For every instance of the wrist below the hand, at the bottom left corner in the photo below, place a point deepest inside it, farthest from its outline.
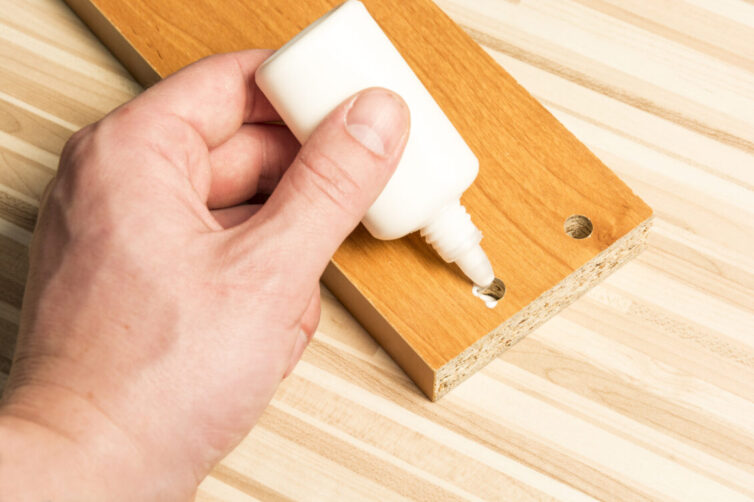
(56, 446)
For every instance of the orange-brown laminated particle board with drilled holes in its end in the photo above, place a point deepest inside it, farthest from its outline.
(534, 178)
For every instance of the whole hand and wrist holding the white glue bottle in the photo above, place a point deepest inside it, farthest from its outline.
(161, 311)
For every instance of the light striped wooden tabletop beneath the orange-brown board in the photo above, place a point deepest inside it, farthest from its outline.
(643, 389)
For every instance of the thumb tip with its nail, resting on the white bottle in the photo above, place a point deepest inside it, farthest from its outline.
(378, 119)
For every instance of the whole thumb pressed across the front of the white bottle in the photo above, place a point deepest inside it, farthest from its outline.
(337, 175)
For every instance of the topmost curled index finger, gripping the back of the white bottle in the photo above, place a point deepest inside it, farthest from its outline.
(215, 95)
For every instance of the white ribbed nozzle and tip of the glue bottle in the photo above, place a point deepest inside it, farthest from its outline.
(456, 239)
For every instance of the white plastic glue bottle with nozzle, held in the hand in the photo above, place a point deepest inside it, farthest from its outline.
(344, 52)
